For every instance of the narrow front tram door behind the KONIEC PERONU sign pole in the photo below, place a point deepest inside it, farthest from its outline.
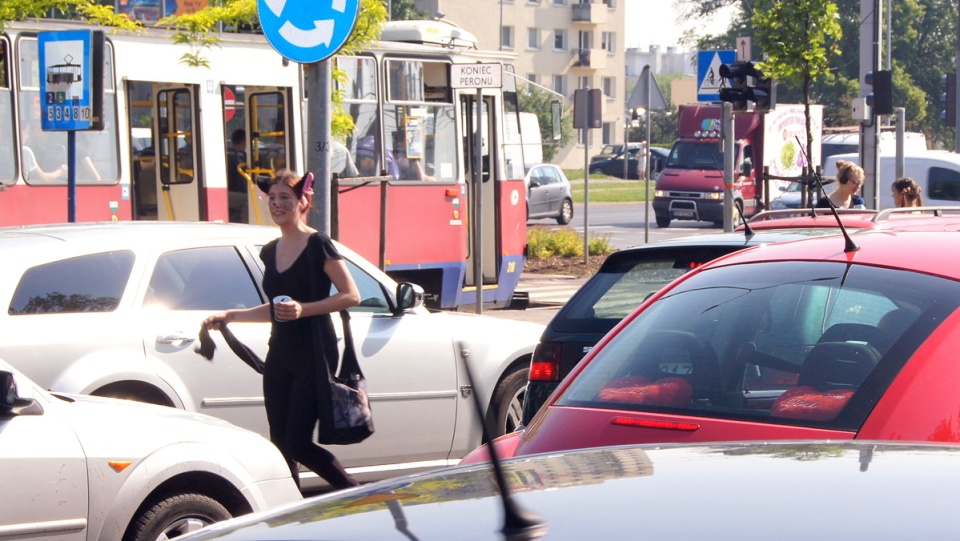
(487, 221)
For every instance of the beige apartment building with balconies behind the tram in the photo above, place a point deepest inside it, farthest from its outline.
(560, 44)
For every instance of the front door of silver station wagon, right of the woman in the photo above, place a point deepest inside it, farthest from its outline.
(411, 375)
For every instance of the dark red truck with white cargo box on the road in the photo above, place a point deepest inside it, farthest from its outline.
(691, 184)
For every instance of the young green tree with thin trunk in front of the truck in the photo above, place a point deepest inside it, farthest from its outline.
(797, 36)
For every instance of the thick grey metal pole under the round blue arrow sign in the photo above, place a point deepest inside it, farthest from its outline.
(319, 115)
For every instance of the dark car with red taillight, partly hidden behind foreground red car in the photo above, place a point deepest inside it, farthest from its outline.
(626, 278)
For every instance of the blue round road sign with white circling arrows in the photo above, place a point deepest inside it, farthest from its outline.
(307, 31)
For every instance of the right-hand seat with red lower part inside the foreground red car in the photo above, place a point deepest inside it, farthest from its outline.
(831, 374)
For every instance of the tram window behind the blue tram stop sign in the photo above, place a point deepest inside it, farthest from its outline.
(43, 155)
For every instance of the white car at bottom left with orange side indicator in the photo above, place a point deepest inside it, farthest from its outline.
(96, 469)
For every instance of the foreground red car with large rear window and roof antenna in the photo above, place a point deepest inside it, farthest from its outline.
(793, 340)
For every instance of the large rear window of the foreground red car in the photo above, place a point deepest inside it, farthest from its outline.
(809, 343)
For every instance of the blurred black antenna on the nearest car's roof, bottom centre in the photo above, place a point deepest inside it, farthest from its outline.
(519, 524)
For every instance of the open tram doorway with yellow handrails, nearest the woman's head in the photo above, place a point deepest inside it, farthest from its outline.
(259, 144)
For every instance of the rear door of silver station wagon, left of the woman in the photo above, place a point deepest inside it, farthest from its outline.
(185, 286)
